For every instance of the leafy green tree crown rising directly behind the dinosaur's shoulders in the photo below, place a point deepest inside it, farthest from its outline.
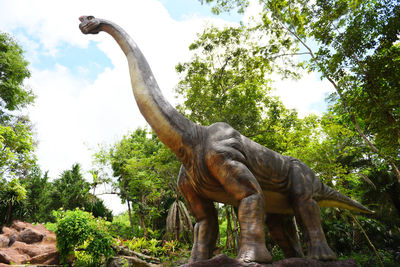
(226, 80)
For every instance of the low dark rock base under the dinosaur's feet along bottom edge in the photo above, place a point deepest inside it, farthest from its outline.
(224, 261)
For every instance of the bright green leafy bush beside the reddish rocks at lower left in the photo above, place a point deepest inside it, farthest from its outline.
(82, 236)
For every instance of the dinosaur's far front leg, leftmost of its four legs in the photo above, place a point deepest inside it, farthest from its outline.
(206, 227)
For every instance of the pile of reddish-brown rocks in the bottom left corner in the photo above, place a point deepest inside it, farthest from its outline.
(28, 243)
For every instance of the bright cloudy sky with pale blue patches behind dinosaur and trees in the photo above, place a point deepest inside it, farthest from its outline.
(81, 82)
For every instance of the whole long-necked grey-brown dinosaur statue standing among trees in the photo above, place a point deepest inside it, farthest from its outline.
(221, 165)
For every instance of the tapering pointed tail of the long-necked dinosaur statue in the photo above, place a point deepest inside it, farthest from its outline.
(328, 197)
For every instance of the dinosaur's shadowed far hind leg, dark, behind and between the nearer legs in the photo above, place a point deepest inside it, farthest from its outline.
(283, 231)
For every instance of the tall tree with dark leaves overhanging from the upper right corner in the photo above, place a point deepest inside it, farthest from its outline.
(354, 45)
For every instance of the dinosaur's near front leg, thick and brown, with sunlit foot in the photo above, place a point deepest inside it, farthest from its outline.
(242, 186)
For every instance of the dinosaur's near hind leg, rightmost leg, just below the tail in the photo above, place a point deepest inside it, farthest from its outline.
(307, 213)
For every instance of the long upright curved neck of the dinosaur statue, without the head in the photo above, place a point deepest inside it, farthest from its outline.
(170, 126)
